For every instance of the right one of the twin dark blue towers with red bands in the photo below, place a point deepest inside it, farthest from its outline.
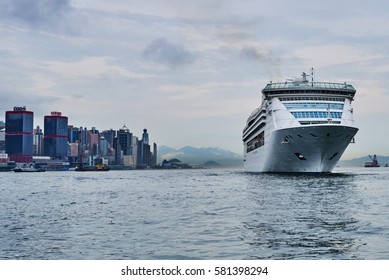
(55, 135)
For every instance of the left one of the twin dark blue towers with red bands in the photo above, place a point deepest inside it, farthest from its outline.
(19, 134)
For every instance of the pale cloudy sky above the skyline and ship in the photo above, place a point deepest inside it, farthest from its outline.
(190, 71)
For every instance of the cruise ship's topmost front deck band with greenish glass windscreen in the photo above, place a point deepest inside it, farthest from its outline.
(309, 88)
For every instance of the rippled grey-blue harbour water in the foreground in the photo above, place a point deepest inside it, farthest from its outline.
(194, 214)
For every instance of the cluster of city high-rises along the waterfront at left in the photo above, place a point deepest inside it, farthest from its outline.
(60, 142)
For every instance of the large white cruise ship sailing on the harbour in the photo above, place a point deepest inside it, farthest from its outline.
(301, 126)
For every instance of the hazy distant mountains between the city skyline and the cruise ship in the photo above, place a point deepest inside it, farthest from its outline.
(193, 155)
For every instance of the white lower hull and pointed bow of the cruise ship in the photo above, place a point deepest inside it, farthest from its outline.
(310, 149)
